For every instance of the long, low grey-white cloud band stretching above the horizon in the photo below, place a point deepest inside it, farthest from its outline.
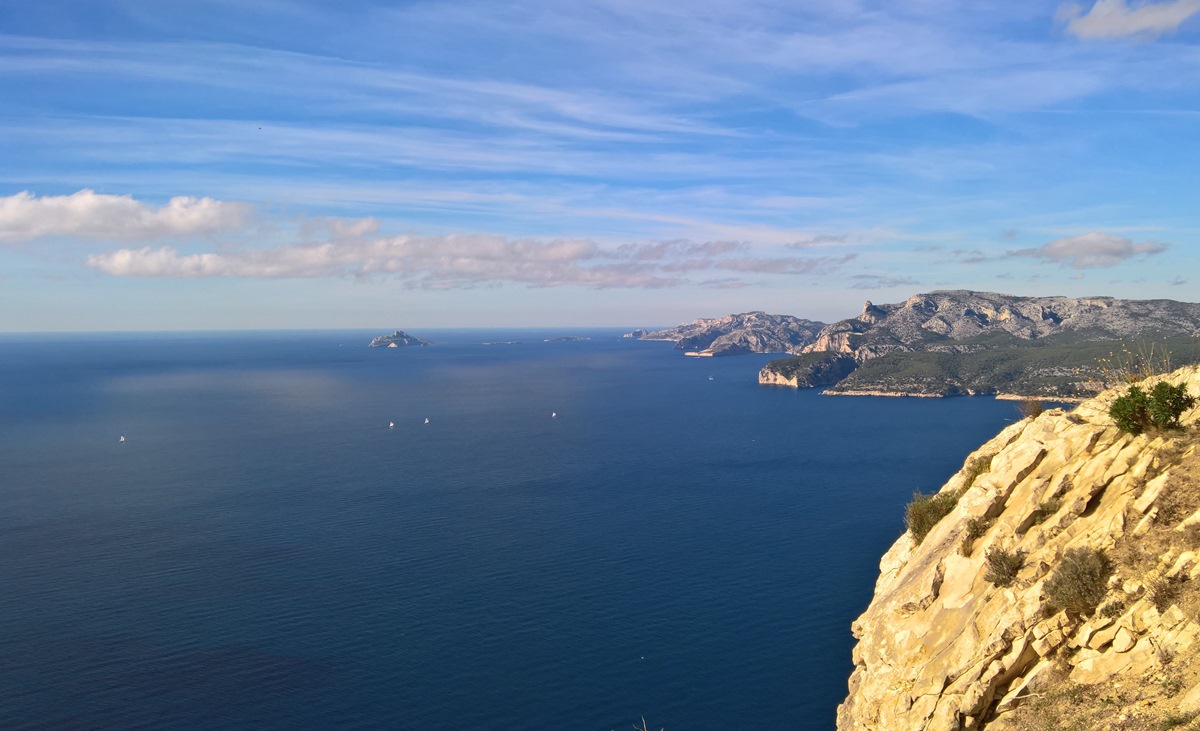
(459, 262)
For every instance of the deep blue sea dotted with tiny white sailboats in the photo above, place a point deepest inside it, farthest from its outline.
(265, 553)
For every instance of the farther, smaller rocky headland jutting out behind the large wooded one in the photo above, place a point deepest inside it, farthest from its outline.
(747, 333)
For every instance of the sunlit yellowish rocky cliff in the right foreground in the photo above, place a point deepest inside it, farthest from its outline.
(967, 628)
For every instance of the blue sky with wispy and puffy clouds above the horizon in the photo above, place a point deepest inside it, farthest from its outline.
(171, 165)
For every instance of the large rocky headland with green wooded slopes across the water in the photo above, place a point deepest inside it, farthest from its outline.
(962, 343)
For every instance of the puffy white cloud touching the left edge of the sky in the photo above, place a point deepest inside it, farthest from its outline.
(92, 215)
